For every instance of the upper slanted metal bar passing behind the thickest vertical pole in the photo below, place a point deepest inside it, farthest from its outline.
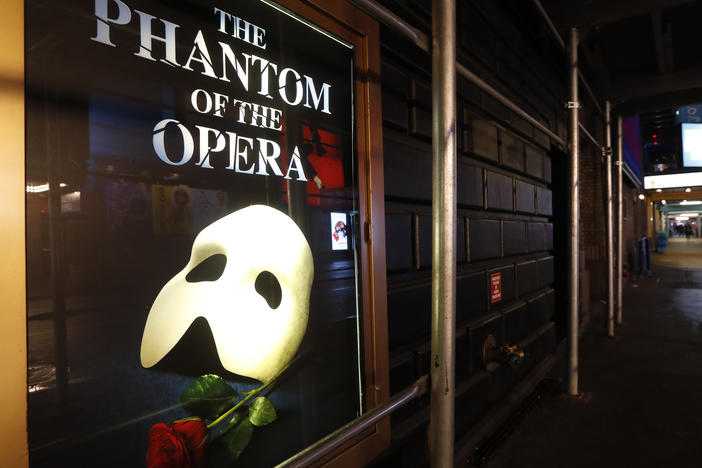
(393, 21)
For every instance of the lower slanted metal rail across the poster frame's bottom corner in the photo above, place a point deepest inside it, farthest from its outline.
(350, 430)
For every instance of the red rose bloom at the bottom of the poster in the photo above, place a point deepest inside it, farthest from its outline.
(180, 445)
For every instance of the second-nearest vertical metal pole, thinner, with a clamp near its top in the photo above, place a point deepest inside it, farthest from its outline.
(573, 248)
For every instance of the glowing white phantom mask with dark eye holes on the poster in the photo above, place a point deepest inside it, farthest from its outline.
(252, 338)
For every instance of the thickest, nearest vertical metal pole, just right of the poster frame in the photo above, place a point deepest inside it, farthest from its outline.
(443, 308)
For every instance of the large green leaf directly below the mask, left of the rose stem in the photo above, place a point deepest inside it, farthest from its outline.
(208, 396)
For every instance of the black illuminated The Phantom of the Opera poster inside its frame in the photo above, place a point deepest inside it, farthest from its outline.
(184, 305)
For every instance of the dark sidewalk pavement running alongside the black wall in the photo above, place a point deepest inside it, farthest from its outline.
(644, 386)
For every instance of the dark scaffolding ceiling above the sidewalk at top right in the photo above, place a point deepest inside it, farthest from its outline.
(644, 54)
